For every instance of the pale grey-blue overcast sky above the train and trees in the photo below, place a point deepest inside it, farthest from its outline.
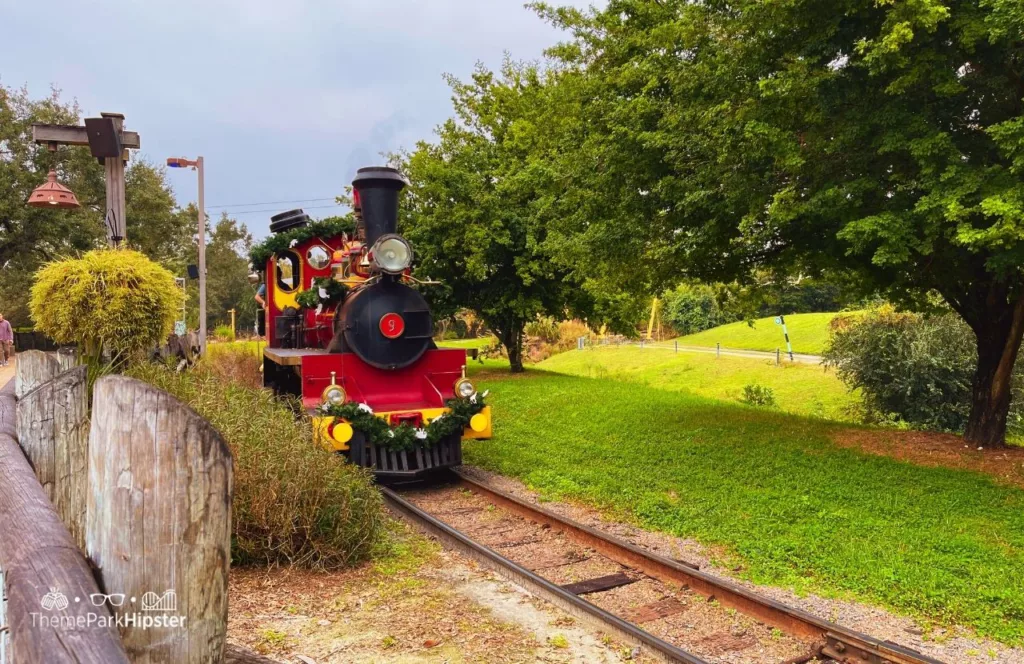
(284, 99)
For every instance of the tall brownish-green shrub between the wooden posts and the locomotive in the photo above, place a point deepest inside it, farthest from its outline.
(294, 503)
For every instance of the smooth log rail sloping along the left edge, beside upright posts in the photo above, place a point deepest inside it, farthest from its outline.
(45, 572)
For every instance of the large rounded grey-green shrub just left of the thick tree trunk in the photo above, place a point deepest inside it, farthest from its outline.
(911, 368)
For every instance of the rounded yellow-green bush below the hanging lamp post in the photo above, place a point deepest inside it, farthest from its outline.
(116, 300)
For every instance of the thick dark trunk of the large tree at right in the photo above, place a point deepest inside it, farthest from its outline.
(999, 337)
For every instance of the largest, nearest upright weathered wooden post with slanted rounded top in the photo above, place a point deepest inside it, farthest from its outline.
(159, 520)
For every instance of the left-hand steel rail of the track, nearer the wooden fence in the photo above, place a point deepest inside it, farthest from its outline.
(591, 614)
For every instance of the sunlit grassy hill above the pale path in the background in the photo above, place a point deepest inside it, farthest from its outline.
(808, 333)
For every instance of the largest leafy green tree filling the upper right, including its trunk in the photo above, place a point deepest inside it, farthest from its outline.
(885, 140)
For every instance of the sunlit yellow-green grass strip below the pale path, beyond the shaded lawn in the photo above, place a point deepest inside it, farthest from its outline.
(802, 389)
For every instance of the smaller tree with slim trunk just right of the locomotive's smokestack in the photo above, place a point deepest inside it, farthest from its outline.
(477, 213)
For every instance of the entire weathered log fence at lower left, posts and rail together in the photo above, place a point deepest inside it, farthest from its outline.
(115, 530)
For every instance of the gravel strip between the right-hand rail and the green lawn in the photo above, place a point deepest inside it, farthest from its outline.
(953, 645)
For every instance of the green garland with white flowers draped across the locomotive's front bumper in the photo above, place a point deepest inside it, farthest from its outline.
(404, 437)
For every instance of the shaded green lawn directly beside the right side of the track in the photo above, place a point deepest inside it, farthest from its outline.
(772, 492)
